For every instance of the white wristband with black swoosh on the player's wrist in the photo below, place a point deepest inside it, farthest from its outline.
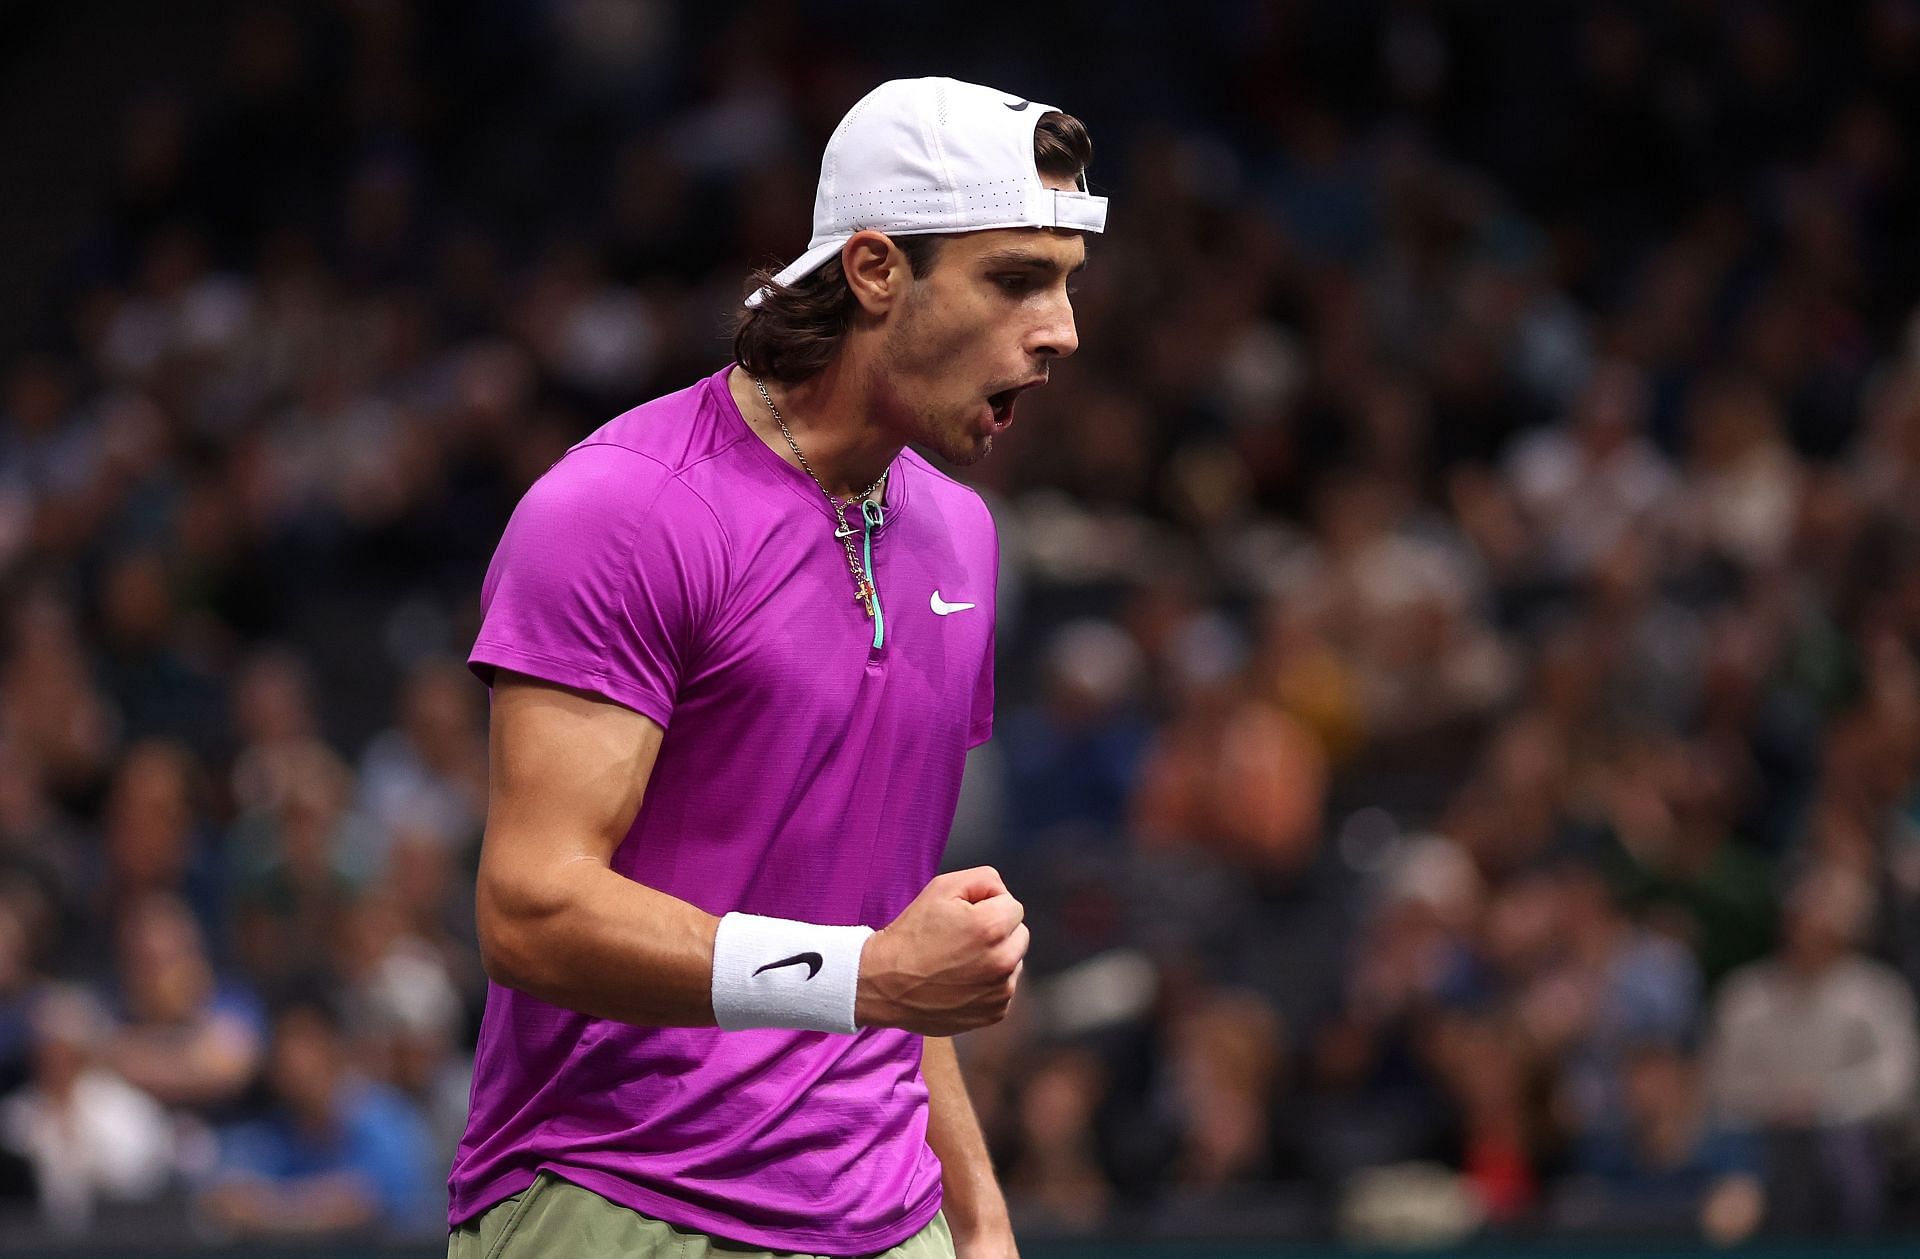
(775, 972)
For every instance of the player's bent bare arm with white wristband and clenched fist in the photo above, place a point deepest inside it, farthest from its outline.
(558, 922)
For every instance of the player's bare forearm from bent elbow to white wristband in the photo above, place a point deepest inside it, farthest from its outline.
(596, 941)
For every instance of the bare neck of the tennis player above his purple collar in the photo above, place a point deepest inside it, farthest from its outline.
(832, 419)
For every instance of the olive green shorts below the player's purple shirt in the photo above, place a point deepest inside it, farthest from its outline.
(556, 1218)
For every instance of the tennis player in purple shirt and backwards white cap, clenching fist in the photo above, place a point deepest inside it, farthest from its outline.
(740, 642)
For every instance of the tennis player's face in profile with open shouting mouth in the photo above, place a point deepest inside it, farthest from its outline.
(980, 327)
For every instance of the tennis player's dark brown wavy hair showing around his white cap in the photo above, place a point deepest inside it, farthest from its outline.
(798, 327)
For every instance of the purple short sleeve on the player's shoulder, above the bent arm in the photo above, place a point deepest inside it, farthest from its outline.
(604, 581)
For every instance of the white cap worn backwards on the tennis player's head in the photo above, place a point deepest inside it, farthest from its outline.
(919, 156)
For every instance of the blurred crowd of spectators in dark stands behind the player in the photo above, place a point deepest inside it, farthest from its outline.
(1460, 690)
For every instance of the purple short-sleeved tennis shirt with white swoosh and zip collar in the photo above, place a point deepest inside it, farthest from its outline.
(679, 567)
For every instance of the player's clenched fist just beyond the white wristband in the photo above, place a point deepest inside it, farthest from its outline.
(949, 962)
